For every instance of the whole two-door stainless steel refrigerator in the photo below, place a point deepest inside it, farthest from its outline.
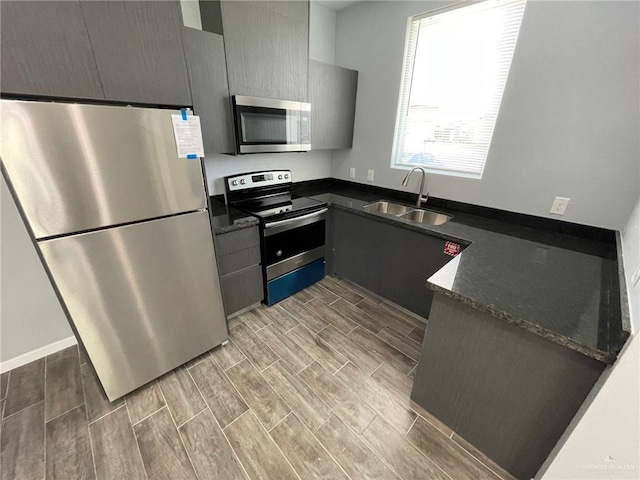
(122, 226)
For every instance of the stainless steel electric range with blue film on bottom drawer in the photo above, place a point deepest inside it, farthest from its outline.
(292, 230)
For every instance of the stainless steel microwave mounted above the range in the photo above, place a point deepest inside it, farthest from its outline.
(270, 125)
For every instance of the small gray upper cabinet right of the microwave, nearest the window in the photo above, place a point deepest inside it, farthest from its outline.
(332, 93)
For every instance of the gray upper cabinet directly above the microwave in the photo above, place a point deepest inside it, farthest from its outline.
(267, 46)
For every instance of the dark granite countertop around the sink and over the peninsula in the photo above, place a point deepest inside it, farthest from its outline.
(559, 286)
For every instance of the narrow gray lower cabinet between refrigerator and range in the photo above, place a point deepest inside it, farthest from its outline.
(240, 270)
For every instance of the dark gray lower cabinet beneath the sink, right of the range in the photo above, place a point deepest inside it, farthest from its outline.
(389, 260)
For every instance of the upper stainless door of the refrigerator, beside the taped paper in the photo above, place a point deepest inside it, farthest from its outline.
(79, 167)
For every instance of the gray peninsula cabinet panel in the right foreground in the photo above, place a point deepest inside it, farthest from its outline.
(507, 391)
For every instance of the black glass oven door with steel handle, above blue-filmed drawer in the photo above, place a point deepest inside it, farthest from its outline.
(293, 243)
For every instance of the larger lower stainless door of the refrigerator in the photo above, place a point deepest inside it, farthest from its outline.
(144, 298)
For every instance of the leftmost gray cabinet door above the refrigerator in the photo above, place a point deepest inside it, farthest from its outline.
(46, 50)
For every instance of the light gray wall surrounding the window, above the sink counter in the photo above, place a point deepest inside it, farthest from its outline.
(569, 122)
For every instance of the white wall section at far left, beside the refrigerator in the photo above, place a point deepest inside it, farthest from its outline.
(31, 317)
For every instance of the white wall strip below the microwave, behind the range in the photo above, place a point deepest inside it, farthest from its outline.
(303, 166)
